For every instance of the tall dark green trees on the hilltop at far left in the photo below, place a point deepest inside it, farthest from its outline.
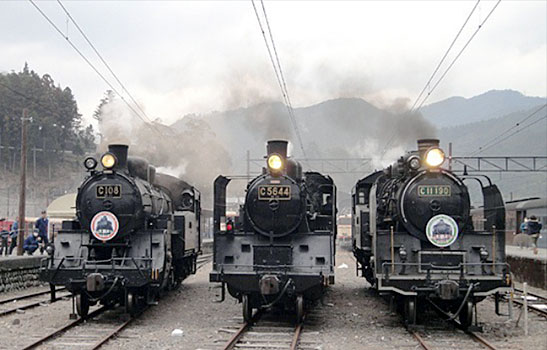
(55, 126)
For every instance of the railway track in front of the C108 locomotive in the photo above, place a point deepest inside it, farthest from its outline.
(97, 329)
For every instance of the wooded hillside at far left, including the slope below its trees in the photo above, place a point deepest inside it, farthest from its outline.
(56, 140)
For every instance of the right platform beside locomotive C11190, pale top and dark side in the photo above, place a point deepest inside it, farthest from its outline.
(527, 266)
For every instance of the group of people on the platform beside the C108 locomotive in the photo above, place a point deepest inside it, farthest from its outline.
(37, 240)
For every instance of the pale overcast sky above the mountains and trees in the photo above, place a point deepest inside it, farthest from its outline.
(195, 57)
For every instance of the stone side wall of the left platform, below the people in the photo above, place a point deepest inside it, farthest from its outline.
(19, 272)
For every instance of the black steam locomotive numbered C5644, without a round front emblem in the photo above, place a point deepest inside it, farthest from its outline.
(280, 250)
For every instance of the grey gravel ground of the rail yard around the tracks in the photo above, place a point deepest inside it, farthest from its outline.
(351, 318)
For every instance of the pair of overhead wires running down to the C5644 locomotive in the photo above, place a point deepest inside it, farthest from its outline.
(279, 74)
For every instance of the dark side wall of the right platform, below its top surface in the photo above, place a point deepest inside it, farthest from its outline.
(533, 271)
